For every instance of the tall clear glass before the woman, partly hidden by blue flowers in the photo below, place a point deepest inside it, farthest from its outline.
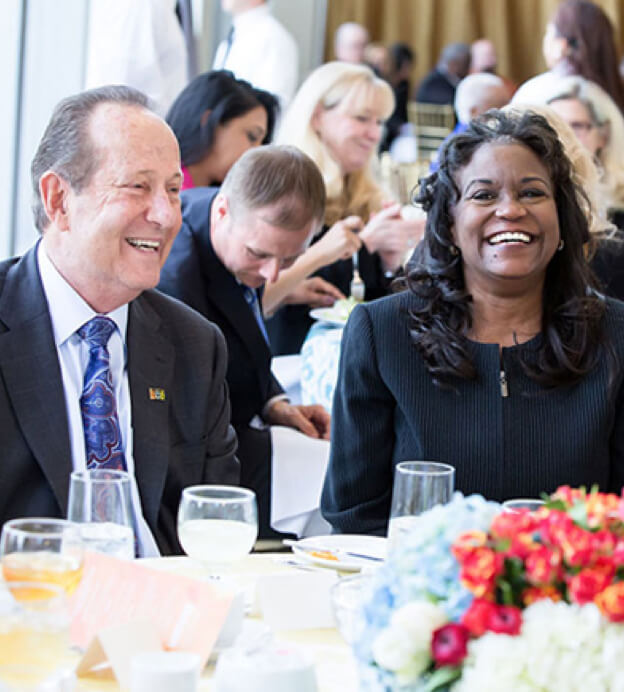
(418, 486)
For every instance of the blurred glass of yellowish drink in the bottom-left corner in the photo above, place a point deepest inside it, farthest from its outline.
(34, 634)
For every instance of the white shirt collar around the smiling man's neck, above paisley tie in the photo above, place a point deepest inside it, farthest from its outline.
(68, 310)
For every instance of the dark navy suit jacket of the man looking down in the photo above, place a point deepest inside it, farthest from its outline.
(194, 274)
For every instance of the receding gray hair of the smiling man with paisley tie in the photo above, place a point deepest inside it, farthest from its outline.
(66, 147)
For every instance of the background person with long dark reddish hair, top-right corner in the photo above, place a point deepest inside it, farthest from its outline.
(579, 40)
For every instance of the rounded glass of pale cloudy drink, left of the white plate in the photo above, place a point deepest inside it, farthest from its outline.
(217, 524)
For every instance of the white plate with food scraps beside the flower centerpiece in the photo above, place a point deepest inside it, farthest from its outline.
(375, 546)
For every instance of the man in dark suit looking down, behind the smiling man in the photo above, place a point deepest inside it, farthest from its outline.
(232, 242)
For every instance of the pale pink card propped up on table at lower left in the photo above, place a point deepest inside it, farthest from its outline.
(183, 613)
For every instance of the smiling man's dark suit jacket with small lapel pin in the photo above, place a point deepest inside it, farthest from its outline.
(181, 441)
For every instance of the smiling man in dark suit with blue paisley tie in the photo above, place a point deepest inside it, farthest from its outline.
(97, 370)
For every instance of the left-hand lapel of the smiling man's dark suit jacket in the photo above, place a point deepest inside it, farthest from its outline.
(32, 374)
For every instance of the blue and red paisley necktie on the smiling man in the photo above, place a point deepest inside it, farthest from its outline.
(103, 445)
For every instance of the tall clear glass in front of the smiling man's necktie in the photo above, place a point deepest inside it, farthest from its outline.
(100, 504)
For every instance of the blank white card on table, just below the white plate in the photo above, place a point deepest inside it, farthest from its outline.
(297, 600)
